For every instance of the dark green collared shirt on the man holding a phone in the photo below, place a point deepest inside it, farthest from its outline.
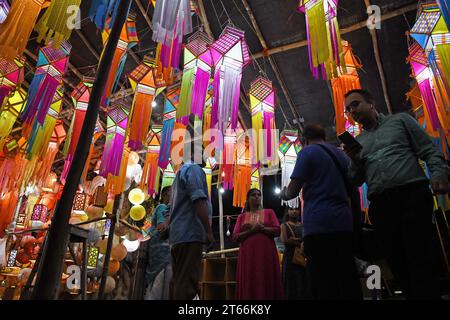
(391, 152)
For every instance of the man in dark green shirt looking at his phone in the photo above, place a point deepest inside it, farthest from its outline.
(401, 202)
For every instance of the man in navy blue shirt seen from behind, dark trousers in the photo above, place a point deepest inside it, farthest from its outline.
(327, 217)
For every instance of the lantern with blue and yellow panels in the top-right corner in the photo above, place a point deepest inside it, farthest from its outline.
(432, 34)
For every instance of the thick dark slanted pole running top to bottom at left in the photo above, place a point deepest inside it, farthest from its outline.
(48, 283)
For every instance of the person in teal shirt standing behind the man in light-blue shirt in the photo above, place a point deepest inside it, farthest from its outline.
(159, 271)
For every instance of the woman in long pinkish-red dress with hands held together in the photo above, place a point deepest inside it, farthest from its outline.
(258, 268)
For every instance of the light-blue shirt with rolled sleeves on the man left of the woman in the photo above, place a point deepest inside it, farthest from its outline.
(189, 185)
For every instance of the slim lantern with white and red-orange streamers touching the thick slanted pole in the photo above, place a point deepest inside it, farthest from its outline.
(80, 97)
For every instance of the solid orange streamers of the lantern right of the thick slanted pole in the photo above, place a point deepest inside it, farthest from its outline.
(140, 120)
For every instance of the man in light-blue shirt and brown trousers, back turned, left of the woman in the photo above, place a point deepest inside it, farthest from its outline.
(190, 228)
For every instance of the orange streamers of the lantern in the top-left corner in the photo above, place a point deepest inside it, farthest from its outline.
(17, 28)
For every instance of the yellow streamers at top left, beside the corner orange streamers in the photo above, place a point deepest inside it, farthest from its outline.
(54, 24)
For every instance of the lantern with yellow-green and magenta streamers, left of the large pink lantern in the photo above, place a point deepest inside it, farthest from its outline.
(198, 62)
